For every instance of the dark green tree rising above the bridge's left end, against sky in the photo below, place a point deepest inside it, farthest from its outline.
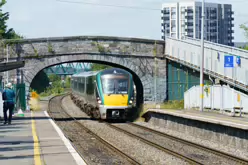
(6, 33)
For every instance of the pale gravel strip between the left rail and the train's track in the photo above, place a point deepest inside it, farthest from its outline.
(142, 152)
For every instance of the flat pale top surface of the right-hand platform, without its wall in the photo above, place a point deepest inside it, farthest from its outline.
(211, 116)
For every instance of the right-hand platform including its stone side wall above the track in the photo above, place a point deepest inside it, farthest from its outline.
(209, 127)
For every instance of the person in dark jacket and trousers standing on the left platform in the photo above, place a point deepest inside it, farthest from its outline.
(8, 96)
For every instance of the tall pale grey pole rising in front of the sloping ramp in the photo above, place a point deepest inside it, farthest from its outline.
(202, 57)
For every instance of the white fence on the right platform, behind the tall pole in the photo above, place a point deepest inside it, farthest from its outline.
(217, 97)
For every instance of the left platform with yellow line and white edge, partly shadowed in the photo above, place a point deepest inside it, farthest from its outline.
(35, 140)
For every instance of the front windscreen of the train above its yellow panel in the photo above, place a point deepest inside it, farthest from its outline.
(115, 85)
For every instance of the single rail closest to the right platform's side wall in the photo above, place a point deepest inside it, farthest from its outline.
(204, 148)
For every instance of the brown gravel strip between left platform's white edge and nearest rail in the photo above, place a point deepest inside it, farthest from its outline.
(93, 152)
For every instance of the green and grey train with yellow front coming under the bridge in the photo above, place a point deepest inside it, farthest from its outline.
(104, 94)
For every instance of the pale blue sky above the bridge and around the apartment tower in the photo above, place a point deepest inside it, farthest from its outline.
(51, 18)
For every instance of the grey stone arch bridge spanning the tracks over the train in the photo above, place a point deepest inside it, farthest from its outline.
(138, 56)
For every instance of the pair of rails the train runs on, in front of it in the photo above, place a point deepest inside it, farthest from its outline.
(191, 160)
